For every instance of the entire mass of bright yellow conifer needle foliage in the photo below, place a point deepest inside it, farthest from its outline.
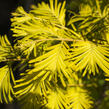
(60, 56)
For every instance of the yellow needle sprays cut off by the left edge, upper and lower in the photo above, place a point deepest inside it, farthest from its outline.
(6, 74)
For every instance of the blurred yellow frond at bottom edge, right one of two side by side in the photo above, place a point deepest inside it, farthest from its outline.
(79, 98)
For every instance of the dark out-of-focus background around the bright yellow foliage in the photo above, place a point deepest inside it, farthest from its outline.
(99, 87)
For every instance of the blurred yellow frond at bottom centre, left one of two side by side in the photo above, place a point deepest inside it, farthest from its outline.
(57, 100)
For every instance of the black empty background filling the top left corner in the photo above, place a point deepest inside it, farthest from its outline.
(6, 8)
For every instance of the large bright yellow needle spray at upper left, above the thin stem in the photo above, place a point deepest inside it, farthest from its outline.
(41, 21)
